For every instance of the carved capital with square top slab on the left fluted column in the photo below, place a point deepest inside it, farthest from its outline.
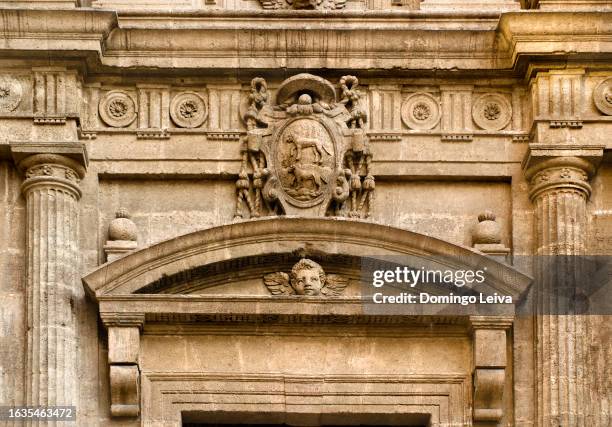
(60, 165)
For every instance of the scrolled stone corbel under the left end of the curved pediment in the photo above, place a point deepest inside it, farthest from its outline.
(123, 349)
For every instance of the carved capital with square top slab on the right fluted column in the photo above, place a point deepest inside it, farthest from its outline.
(550, 167)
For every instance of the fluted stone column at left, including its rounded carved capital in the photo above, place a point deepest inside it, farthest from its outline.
(51, 189)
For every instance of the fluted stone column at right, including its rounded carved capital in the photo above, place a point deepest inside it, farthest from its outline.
(559, 190)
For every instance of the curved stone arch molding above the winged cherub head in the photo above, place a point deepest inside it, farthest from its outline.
(289, 235)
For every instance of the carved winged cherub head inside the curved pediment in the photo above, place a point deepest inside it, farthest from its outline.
(306, 278)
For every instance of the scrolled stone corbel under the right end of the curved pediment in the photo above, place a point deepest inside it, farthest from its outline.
(489, 371)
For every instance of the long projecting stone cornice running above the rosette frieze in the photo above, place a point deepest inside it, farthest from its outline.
(356, 40)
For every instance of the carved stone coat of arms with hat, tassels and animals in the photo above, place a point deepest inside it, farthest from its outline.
(306, 155)
